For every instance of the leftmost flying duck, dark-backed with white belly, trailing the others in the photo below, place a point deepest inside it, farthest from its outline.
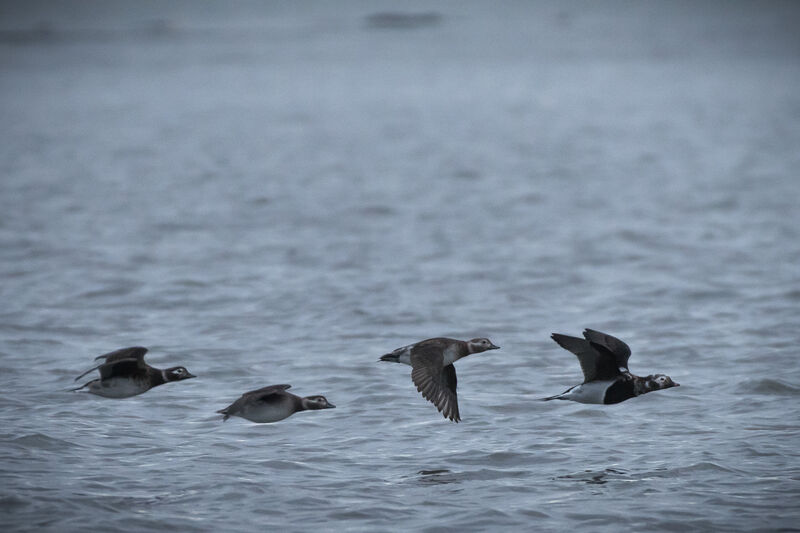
(123, 373)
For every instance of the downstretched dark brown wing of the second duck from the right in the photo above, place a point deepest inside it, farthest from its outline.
(437, 384)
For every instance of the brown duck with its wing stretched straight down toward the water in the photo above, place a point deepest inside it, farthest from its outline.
(432, 369)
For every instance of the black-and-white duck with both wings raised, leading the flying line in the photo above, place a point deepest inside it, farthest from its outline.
(604, 361)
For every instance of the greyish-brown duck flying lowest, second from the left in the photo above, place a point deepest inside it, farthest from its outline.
(271, 404)
